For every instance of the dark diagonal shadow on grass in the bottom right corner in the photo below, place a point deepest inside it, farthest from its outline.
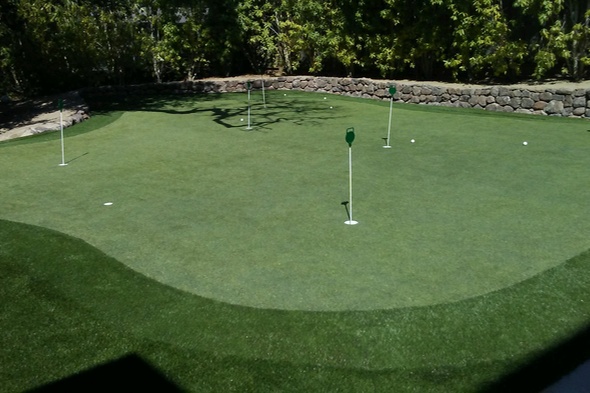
(548, 368)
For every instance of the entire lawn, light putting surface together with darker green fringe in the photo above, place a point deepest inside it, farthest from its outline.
(224, 261)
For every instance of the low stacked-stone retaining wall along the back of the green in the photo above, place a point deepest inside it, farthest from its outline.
(533, 100)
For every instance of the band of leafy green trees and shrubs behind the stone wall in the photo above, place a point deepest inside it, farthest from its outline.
(52, 45)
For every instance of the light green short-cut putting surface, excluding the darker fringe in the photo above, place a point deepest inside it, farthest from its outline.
(255, 217)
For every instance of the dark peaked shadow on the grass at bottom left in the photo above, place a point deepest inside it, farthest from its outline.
(129, 373)
